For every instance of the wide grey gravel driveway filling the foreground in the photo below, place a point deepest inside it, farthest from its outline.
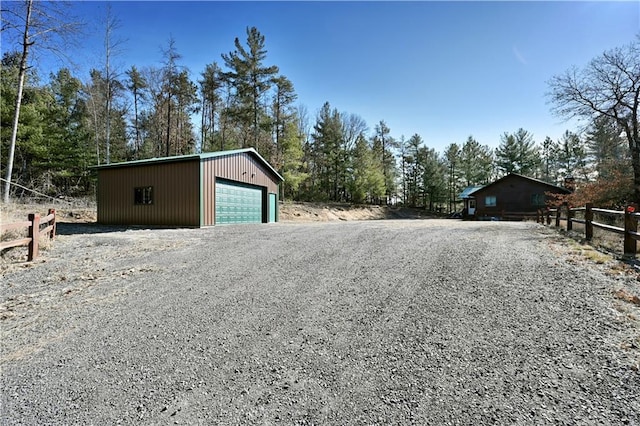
(376, 322)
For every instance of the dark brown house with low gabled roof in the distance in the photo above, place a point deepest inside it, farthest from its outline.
(513, 194)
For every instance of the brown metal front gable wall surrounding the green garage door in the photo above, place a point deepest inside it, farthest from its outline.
(239, 167)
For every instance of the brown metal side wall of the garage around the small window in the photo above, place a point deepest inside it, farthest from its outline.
(176, 194)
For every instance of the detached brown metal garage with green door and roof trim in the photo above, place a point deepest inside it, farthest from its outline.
(192, 190)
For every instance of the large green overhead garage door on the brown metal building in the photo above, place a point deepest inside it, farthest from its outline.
(238, 203)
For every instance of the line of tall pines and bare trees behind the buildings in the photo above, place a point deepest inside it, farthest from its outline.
(66, 125)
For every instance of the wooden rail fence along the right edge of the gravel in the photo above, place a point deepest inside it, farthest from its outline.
(568, 214)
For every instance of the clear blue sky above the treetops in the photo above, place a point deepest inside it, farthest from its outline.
(443, 70)
